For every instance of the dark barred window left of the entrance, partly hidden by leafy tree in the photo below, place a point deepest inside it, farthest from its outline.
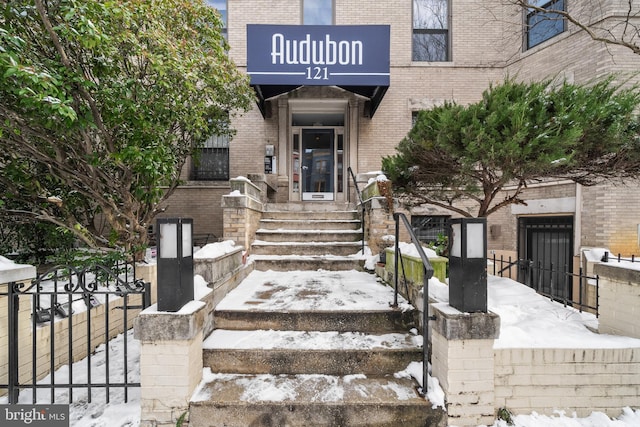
(212, 161)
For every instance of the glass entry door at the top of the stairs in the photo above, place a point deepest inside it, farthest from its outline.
(318, 164)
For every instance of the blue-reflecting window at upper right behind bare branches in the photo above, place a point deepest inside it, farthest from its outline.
(541, 26)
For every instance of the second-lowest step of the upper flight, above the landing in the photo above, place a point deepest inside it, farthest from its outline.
(260, 247)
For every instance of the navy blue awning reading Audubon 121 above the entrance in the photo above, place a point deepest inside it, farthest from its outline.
(282, 58)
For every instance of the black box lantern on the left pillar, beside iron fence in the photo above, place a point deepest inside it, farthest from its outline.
(175, 263)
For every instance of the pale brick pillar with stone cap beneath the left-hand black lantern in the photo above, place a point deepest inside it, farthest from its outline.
(170, 361)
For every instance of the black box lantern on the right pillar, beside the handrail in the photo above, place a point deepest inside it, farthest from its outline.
(468, 264)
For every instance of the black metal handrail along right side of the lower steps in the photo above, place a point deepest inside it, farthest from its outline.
(428, 274)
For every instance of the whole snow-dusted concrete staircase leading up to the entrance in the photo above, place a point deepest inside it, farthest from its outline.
(317, 345)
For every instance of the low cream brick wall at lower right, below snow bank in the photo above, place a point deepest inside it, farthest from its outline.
(580, 380)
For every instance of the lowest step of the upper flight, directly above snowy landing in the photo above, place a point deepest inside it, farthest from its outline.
(306, 262)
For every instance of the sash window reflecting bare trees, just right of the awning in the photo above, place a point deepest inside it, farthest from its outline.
(431, 30)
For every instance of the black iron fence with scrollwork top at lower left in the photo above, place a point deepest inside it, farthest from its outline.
(61, 317)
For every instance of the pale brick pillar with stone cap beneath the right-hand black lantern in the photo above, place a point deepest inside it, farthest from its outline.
(463, 361)
